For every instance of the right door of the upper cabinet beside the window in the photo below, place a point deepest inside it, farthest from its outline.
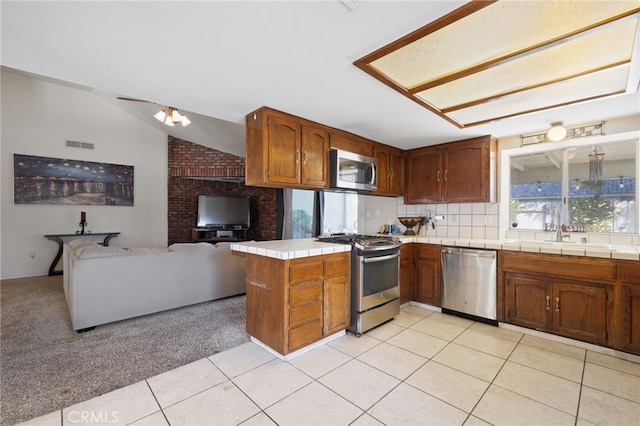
(466, 171)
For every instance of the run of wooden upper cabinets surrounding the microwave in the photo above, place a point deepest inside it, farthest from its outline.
(285, 151)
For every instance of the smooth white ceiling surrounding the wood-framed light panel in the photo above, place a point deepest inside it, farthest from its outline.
(219, 60)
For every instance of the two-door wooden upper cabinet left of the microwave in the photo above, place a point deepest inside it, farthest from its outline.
(285, 151)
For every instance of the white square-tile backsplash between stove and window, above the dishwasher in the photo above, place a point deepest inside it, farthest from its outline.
(465, 220)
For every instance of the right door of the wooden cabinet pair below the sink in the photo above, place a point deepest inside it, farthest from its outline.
(580, 312)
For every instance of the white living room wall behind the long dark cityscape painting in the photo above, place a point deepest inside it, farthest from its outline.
(37, 119)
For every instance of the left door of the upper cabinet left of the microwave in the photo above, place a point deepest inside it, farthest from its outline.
(283, 150)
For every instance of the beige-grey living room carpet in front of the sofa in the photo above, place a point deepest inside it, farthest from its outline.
(45, 365)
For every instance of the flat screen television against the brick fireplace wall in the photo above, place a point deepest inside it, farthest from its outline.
(219, 211)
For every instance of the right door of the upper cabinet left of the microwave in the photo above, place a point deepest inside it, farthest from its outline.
(314, 169)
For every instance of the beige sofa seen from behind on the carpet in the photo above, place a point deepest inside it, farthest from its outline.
(106, 284)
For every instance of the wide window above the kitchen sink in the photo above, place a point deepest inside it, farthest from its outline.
(583, 186)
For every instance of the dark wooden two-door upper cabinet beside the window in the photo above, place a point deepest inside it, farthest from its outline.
(456, 172)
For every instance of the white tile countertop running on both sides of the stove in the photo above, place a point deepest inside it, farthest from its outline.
(292, 249)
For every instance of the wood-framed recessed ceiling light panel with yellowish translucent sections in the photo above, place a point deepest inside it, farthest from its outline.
(489, 60)
